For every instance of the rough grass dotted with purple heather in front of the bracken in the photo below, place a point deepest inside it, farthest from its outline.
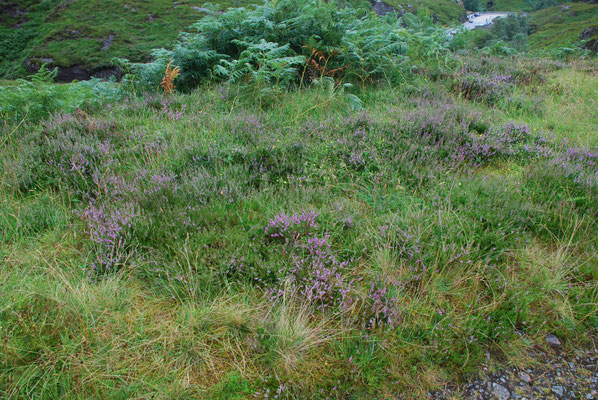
(201, 246)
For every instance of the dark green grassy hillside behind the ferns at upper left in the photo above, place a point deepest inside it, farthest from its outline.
(89, 33)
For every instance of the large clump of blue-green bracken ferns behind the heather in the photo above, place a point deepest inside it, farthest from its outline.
(361, 46)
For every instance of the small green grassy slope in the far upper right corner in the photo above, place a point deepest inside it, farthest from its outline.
(561, 26)
